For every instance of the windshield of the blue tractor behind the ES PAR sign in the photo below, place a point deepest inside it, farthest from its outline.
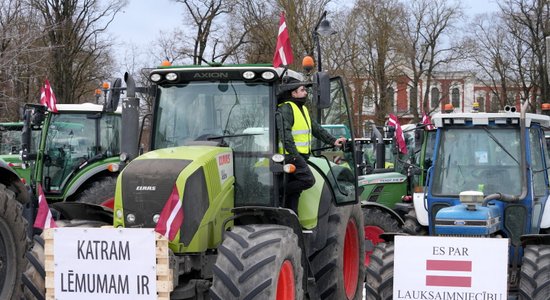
(477, 158)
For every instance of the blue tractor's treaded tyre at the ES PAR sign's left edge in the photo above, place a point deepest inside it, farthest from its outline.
(379, 282)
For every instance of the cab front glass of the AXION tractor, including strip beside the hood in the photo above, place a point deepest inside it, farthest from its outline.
(233, 113)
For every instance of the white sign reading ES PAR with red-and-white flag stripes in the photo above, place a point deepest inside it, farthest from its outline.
(450, 268)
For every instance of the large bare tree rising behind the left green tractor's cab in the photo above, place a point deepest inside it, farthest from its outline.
(79, 57)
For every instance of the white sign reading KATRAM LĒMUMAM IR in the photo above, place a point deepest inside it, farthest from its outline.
(104, 263)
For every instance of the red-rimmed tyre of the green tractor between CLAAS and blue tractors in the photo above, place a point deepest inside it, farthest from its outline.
(377, 222)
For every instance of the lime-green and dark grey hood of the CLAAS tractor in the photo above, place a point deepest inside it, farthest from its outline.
(146, 183)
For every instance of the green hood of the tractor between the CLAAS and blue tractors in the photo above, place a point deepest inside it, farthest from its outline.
(384, 188)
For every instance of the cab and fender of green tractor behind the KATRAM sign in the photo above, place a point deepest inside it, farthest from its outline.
(77, 145)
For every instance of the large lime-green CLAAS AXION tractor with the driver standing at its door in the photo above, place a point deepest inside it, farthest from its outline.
(214, 141)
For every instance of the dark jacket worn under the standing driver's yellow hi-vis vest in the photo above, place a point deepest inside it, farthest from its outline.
(288, 120)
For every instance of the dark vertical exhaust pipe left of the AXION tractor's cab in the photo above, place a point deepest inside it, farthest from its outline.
(130, 120)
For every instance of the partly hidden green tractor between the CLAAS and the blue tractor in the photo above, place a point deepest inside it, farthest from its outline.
(388, 192)
